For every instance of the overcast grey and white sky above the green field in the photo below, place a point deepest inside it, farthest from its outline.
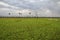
(42, 7)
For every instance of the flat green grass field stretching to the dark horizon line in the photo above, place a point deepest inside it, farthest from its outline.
(29, 28)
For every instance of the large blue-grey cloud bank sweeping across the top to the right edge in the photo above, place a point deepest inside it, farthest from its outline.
(35, 5)
